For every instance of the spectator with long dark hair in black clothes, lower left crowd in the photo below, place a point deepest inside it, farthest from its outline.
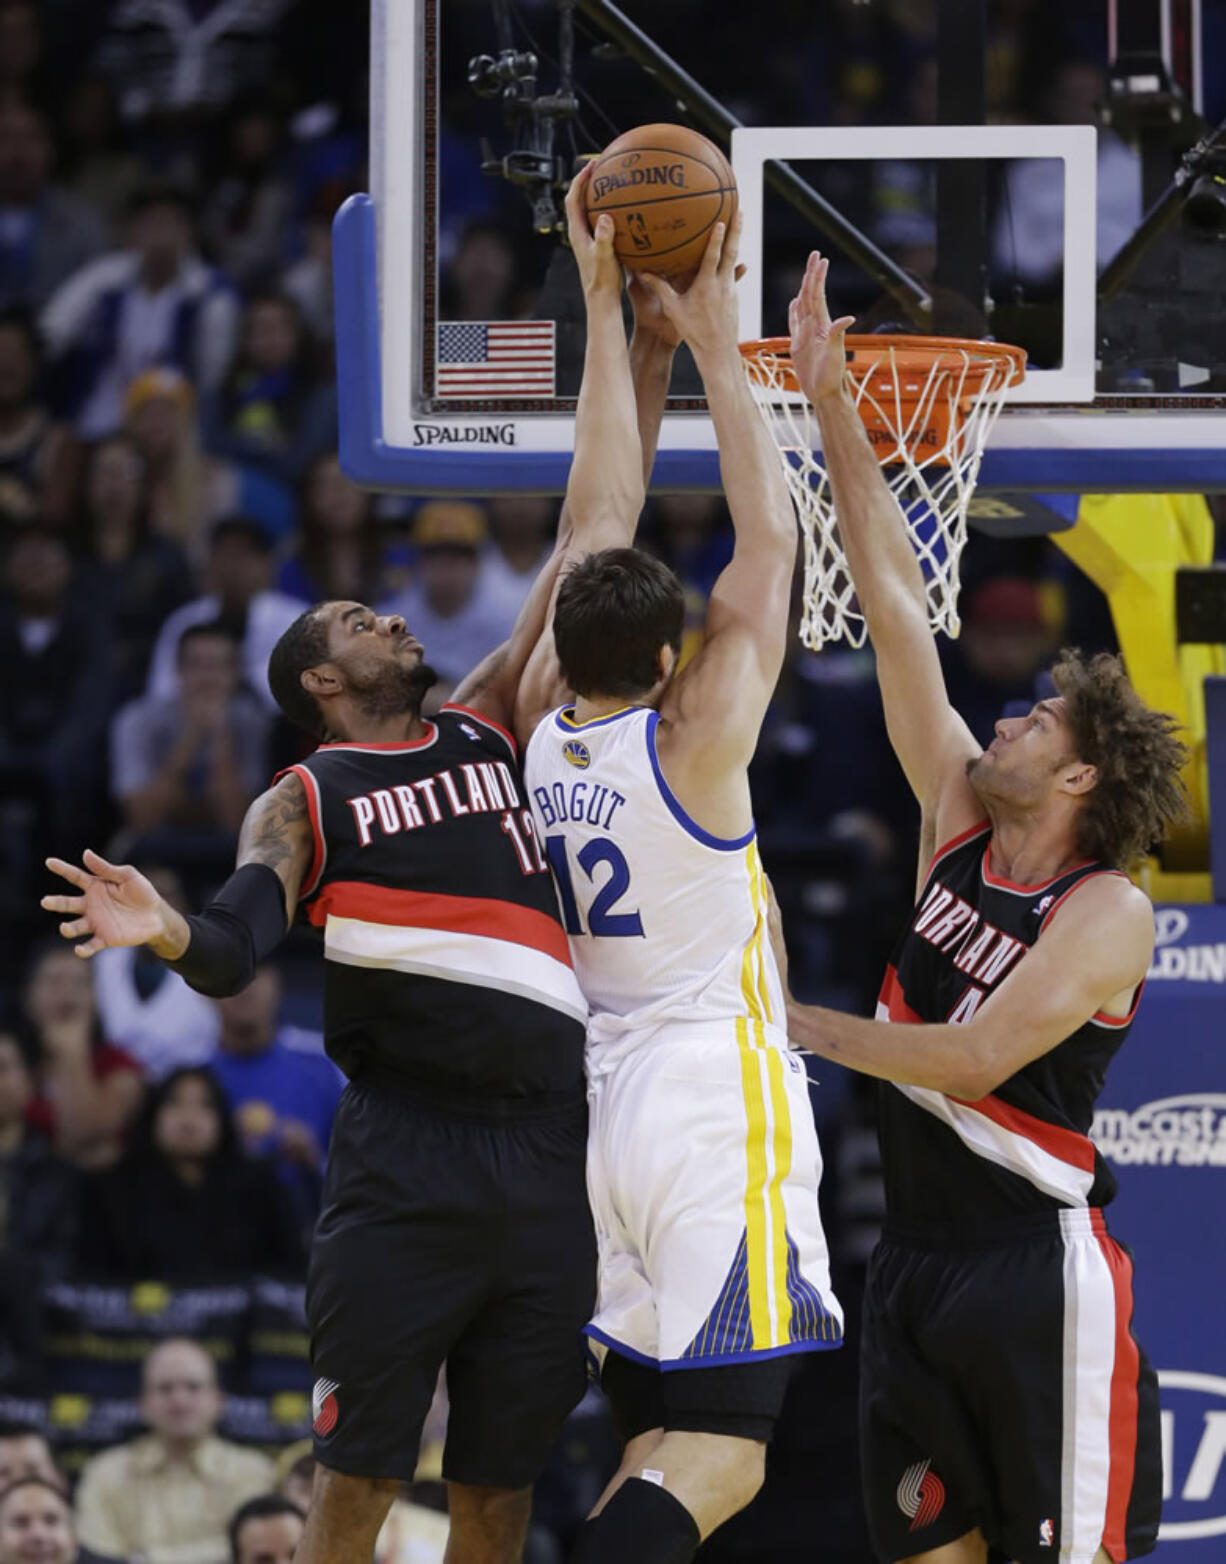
(185, 1205)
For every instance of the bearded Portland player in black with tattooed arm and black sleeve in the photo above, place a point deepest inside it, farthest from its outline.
(456, 1222)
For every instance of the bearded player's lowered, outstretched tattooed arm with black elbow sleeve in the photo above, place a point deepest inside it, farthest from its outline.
(218, 950)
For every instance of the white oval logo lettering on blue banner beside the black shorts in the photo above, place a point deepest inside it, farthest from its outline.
(1194, 1455)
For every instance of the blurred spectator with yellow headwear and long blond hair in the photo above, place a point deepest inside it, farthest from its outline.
(187, 489)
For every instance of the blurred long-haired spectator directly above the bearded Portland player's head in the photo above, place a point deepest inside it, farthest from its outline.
(340, 553)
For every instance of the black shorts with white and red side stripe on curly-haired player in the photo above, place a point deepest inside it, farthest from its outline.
(1002, 1388)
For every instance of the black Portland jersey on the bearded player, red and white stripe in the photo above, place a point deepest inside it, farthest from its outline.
(446, 958)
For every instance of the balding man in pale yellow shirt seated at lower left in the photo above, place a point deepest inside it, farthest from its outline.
(168, 1498)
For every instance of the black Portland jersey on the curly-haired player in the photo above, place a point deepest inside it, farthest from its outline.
(1025, 1149)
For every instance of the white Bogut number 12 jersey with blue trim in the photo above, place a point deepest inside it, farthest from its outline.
(667, 922)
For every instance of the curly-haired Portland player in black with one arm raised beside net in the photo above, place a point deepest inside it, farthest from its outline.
(1005, 1401)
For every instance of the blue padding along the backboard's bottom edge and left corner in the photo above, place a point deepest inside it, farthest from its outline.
(370, 461)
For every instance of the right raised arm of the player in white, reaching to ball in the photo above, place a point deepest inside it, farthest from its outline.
(715, 709)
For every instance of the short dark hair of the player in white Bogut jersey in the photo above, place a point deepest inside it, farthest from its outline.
(615, 611)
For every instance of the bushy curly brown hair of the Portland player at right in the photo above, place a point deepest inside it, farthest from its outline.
(1136, 753)
